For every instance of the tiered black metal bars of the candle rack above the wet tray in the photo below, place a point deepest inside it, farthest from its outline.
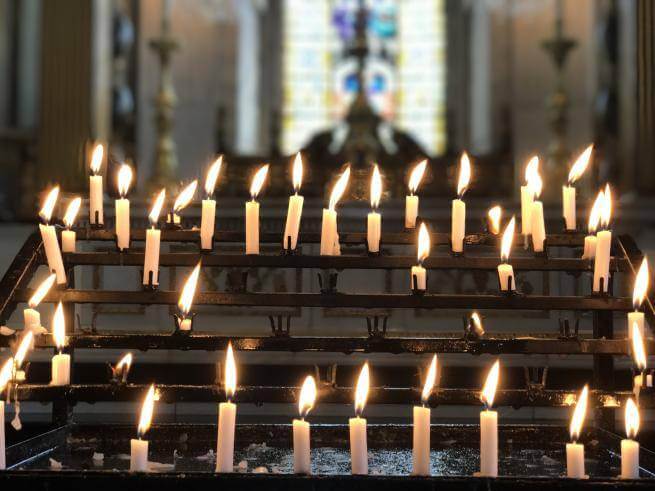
(603, 397)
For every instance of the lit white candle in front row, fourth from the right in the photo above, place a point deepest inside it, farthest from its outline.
(421, 430)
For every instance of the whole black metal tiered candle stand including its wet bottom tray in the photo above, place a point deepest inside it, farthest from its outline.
(526, 451)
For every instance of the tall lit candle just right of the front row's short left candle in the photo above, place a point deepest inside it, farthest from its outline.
(227, 415)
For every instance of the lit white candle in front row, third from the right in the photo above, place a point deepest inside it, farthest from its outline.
(489, 425)
